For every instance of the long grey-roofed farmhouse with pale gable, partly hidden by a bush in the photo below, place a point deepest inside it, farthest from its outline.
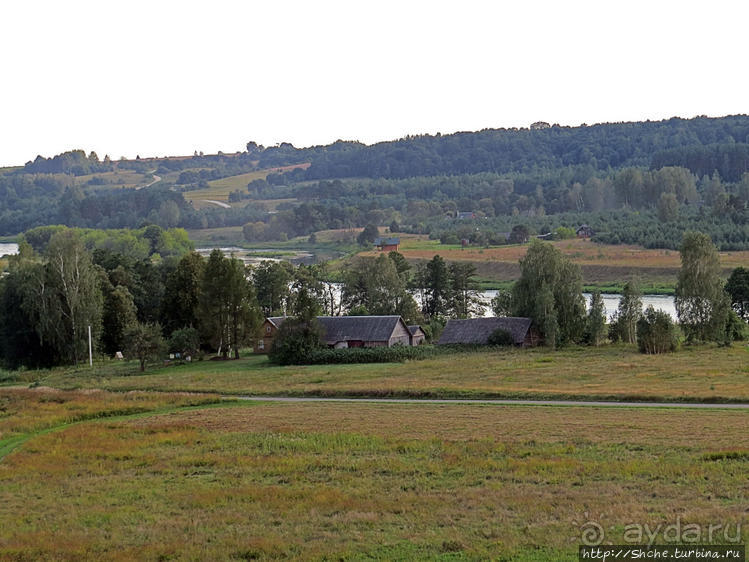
(347, 331)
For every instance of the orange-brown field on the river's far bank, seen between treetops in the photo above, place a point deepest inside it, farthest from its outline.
(600, 263)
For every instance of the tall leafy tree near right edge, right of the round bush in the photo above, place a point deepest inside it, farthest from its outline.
(701, 302)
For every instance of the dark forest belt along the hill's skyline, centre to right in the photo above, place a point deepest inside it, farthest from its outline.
(611, 145)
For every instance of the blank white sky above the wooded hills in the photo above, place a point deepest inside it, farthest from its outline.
(162, 77)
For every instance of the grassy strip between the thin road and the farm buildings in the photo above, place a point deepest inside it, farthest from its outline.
(704, 373)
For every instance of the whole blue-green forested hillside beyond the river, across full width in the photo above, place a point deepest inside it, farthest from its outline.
(643, 183)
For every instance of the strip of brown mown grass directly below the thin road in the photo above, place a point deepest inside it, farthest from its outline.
(712, 430)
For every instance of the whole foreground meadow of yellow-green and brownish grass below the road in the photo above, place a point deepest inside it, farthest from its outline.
(363, 481)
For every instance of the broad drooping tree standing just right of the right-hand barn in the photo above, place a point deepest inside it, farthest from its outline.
(549, 291)
